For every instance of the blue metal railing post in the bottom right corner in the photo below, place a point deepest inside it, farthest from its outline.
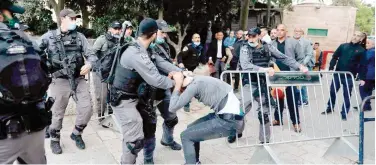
(362, 120)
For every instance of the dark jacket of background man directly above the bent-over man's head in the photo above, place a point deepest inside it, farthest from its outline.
(191, 56)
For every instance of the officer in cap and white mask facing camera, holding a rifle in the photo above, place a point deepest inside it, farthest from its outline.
(71, 58)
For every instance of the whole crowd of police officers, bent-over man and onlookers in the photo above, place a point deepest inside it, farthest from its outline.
(143, 77)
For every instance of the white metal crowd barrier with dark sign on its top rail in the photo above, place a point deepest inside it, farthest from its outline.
(315, 122)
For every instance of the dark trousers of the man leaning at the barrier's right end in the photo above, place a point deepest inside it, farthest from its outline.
(347, 82)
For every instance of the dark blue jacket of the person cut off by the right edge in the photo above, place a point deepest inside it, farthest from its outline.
(367, 65)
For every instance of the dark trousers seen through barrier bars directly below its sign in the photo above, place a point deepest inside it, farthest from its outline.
(292, 106)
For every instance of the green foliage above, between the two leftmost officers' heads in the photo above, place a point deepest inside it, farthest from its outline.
(36, 16)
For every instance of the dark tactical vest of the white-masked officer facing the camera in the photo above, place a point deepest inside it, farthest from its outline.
(66, 46)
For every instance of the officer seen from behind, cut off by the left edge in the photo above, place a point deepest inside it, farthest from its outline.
(24, 80)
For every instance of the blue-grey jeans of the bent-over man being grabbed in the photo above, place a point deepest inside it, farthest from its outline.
(205, 128)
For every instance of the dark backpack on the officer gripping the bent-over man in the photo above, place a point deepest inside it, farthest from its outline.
(107, 62)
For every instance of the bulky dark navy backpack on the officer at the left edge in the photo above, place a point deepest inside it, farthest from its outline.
(24, 77)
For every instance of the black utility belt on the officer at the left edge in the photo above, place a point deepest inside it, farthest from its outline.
(28, 118)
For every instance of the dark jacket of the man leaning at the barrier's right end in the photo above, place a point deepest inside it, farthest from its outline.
(347, 58)
